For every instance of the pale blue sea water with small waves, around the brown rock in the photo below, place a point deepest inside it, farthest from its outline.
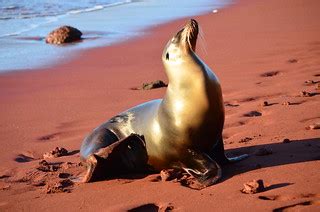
(25, 23)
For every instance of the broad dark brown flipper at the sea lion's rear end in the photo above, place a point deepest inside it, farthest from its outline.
(124, 156)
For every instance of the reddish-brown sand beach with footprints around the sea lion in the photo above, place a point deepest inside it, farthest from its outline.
(260, 50)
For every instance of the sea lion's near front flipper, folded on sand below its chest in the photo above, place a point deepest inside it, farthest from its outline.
(200, 166)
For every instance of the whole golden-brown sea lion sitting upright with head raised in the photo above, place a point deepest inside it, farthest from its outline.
(183, 130)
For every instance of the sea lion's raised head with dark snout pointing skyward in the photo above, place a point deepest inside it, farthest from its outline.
(182, 44)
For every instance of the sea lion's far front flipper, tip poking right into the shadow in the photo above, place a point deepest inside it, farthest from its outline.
(219, 156)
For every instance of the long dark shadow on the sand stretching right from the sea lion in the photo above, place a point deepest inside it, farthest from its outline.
(278, 154)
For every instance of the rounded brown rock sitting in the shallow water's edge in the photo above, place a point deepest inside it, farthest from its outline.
(64, 34)
